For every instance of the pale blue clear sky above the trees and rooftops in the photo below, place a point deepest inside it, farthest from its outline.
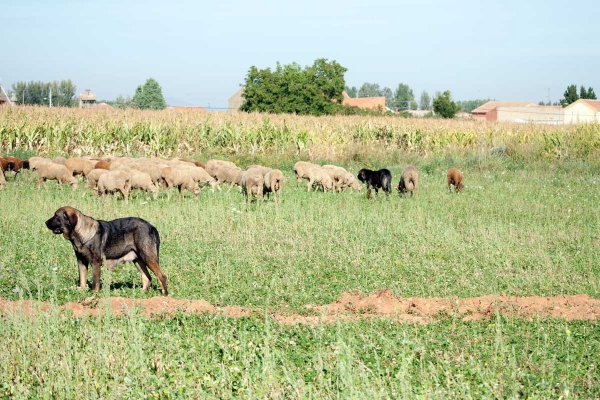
(200, 52)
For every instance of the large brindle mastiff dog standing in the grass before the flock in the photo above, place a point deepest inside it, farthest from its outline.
(109, 243)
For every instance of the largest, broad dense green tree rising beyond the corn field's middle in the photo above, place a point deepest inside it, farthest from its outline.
(314, 90)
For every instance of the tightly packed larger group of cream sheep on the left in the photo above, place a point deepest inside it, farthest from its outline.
(124, 174)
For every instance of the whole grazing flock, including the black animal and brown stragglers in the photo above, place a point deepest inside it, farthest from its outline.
(123, 174)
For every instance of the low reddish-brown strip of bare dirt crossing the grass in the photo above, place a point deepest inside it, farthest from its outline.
(381, 304)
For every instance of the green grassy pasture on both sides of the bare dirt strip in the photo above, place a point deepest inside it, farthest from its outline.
(516, 229)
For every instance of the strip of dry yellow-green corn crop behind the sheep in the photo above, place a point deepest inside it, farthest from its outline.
(169, 133)
